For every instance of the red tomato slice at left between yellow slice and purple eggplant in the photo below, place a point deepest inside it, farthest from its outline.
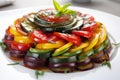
(20, 46)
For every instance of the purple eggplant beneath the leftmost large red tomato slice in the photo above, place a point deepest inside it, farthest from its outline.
(17, 53)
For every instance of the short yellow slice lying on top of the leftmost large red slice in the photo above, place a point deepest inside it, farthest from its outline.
(22, 39)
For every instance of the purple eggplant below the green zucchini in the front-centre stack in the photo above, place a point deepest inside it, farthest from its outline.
(62, 67)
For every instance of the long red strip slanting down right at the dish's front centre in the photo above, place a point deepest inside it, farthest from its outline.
(69, 37)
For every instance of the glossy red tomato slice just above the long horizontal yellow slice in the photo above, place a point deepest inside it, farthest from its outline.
(38, 36)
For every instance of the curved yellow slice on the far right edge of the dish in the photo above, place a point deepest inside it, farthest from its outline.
(103, 35)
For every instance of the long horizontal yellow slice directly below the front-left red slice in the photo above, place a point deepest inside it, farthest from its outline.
(57, 44)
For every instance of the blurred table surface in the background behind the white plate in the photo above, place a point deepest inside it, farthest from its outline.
(109, 6)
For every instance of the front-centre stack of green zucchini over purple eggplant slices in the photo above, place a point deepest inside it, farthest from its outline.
(62, 64)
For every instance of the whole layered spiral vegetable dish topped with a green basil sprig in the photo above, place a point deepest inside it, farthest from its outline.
(60, 39)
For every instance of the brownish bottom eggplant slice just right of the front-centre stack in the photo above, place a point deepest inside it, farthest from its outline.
(85, 67)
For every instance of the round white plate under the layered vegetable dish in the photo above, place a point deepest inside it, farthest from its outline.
(19, 72)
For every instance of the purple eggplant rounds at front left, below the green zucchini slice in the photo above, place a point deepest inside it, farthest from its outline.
(34, 63)
